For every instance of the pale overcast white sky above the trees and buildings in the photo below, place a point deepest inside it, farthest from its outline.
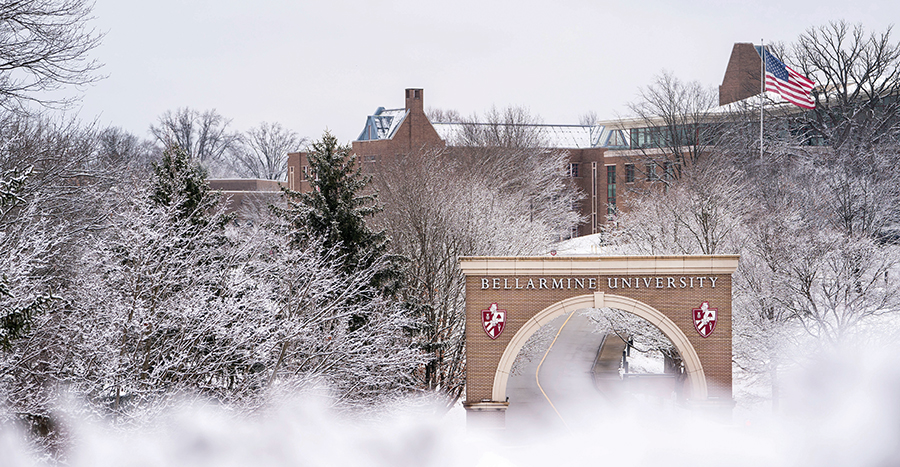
(317, 65)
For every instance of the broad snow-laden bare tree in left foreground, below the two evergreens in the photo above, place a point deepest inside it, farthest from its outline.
(162, 307)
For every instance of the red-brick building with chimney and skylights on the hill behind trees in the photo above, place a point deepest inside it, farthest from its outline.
(607, 159)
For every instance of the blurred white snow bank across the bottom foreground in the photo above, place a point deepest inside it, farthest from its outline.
(841, 409)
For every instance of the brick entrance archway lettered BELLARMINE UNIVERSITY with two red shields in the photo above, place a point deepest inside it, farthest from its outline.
(533, 290)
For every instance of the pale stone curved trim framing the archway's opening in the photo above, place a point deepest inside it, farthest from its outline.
(693, 367)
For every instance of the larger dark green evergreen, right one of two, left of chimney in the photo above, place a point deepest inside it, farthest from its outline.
(336, 208)
